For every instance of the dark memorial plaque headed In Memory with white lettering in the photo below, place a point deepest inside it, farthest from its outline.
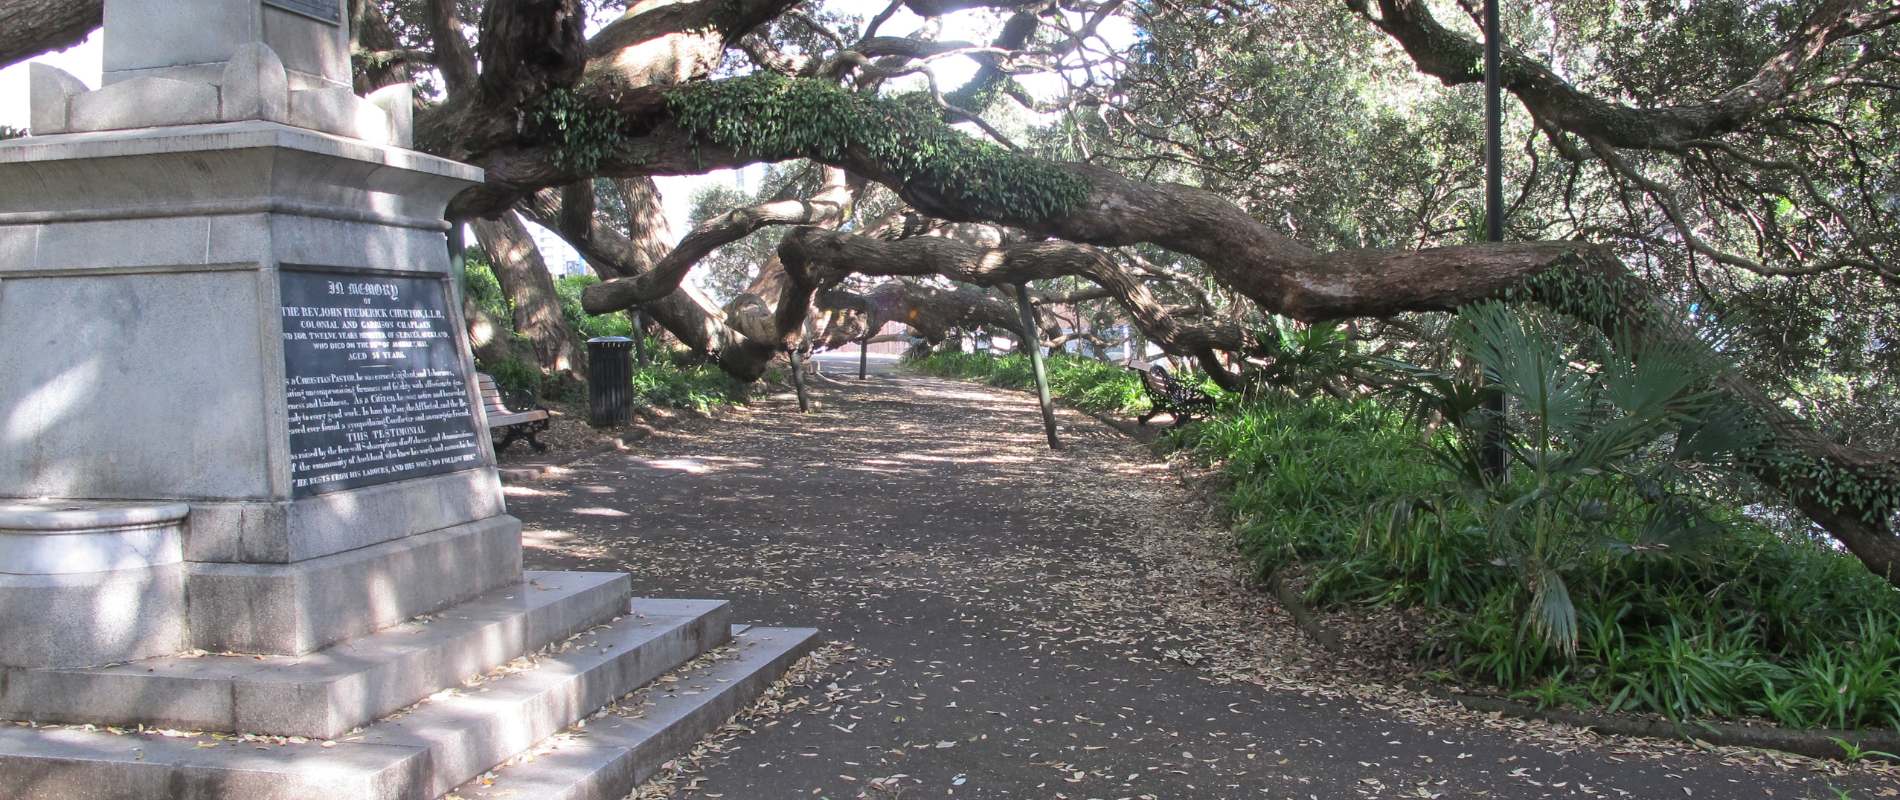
(375, 381)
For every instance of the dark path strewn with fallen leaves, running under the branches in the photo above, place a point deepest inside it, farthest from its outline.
(1021, 624)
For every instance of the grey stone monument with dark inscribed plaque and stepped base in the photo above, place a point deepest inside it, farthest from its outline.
(244, 478)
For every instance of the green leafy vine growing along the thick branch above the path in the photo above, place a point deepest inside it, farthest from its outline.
(774, 117)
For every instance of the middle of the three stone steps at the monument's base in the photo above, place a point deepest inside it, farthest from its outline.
(417, 753)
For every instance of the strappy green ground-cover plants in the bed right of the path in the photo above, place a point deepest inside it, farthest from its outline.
(1745, 624)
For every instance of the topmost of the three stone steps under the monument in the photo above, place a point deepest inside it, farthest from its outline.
(333, 691)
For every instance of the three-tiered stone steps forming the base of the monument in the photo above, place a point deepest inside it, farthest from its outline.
(314, 719)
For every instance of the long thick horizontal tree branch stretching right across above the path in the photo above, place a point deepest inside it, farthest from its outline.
(1245, 256)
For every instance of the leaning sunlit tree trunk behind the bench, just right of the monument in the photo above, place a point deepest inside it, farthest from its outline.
(531, 290)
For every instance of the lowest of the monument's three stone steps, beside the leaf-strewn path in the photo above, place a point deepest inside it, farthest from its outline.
(613, 755)
